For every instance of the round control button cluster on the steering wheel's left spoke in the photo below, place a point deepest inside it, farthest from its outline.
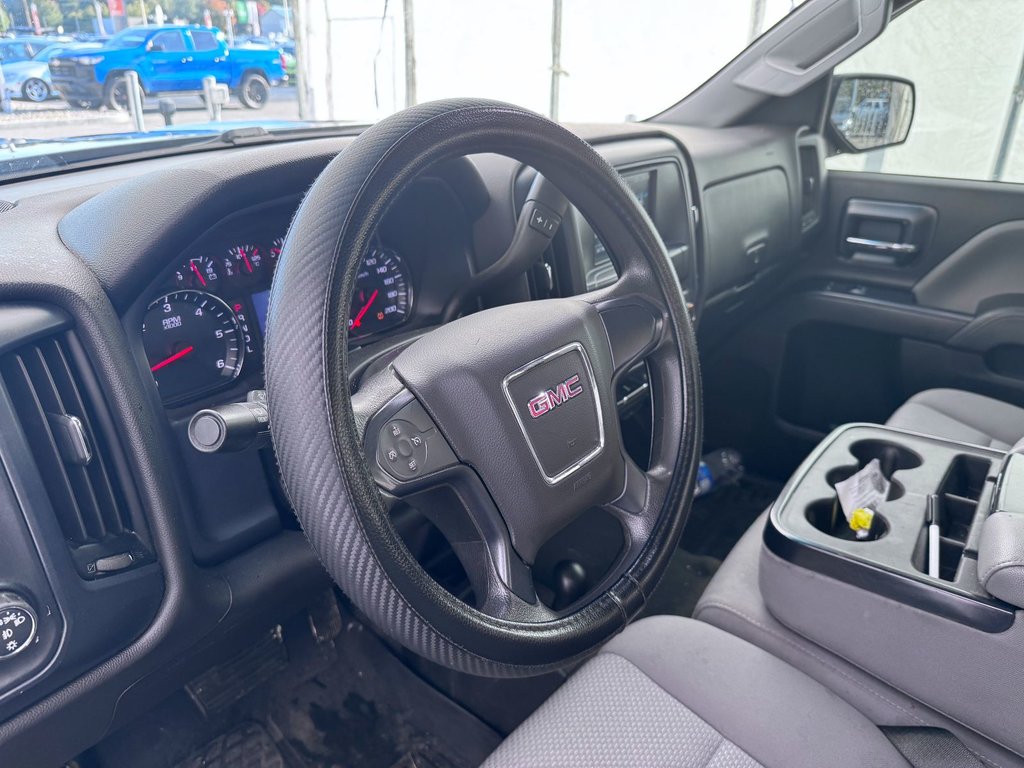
(409, 446)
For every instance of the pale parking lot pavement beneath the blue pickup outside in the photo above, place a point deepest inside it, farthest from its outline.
(56, 119)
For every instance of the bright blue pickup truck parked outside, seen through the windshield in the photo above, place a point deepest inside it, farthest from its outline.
(168, 60)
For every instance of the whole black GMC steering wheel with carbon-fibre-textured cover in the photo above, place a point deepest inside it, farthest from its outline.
(506, 416)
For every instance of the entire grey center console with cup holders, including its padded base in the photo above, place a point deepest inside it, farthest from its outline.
(954, 642)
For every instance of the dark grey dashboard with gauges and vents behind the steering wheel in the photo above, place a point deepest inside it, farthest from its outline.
(156, 316)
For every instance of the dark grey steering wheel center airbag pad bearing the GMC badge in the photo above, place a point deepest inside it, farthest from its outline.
(460, 373)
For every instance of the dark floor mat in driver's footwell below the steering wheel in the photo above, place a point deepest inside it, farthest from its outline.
(344, 704)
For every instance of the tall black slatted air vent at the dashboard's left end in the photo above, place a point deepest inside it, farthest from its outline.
(72, 439)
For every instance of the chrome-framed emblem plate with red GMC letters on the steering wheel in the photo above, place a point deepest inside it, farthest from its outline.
(556, 402)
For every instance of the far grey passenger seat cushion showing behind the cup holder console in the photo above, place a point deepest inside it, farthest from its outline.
(962, 416)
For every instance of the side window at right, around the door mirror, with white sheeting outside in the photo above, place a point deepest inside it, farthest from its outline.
(966, 60)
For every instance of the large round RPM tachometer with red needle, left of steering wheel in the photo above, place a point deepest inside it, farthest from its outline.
(193, 343)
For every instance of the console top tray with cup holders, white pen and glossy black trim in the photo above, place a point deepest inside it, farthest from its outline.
(807, 527)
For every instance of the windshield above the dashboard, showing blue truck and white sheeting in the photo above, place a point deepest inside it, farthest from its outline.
(226, 64)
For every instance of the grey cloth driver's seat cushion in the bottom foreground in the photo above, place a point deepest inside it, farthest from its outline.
(672, 692)
